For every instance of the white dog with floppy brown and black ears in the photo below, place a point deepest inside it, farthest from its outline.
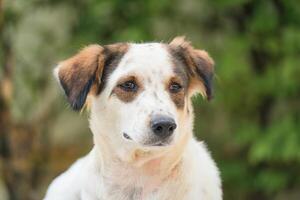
(141, 117)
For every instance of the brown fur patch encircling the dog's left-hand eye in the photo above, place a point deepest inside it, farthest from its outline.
(127, 96)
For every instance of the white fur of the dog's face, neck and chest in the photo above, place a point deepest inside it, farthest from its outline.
(120, 169)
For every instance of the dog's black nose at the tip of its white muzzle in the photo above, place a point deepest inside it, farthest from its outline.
(163, 126)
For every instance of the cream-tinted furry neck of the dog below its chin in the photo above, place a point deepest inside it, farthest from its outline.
(146, 169)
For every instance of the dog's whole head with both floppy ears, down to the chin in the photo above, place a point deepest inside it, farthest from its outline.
(139, 94)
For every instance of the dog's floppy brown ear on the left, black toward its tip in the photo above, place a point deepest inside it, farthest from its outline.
(78, 74)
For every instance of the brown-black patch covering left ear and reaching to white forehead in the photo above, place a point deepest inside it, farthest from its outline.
(86, 72)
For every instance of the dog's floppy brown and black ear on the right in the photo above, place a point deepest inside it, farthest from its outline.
(199, 65)
